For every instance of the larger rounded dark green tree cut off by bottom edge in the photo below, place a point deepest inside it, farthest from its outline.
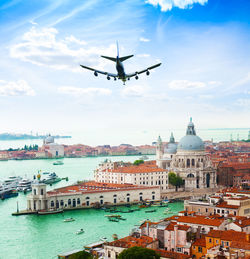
(138, 253)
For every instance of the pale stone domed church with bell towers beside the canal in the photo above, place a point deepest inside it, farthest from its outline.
(187, 159)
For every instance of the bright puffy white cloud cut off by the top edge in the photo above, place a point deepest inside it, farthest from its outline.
(167, 5)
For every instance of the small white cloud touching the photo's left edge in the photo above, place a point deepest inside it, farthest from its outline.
(18, 88)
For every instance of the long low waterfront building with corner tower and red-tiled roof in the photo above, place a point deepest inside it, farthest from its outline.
(87, 195)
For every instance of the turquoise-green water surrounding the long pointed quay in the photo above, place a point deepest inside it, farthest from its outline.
(45, 237)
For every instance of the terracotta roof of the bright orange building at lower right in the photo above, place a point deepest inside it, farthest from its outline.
(228, 235)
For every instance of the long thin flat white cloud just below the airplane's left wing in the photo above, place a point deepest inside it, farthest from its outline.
(76, 91)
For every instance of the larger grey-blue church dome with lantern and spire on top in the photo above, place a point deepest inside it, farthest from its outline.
(191, 141)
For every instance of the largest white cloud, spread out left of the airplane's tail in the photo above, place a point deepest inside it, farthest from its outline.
(41, 46)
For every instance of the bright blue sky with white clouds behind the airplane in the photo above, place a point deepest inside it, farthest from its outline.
(204, 47)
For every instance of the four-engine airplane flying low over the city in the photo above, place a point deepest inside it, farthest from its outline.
(120, 69)
